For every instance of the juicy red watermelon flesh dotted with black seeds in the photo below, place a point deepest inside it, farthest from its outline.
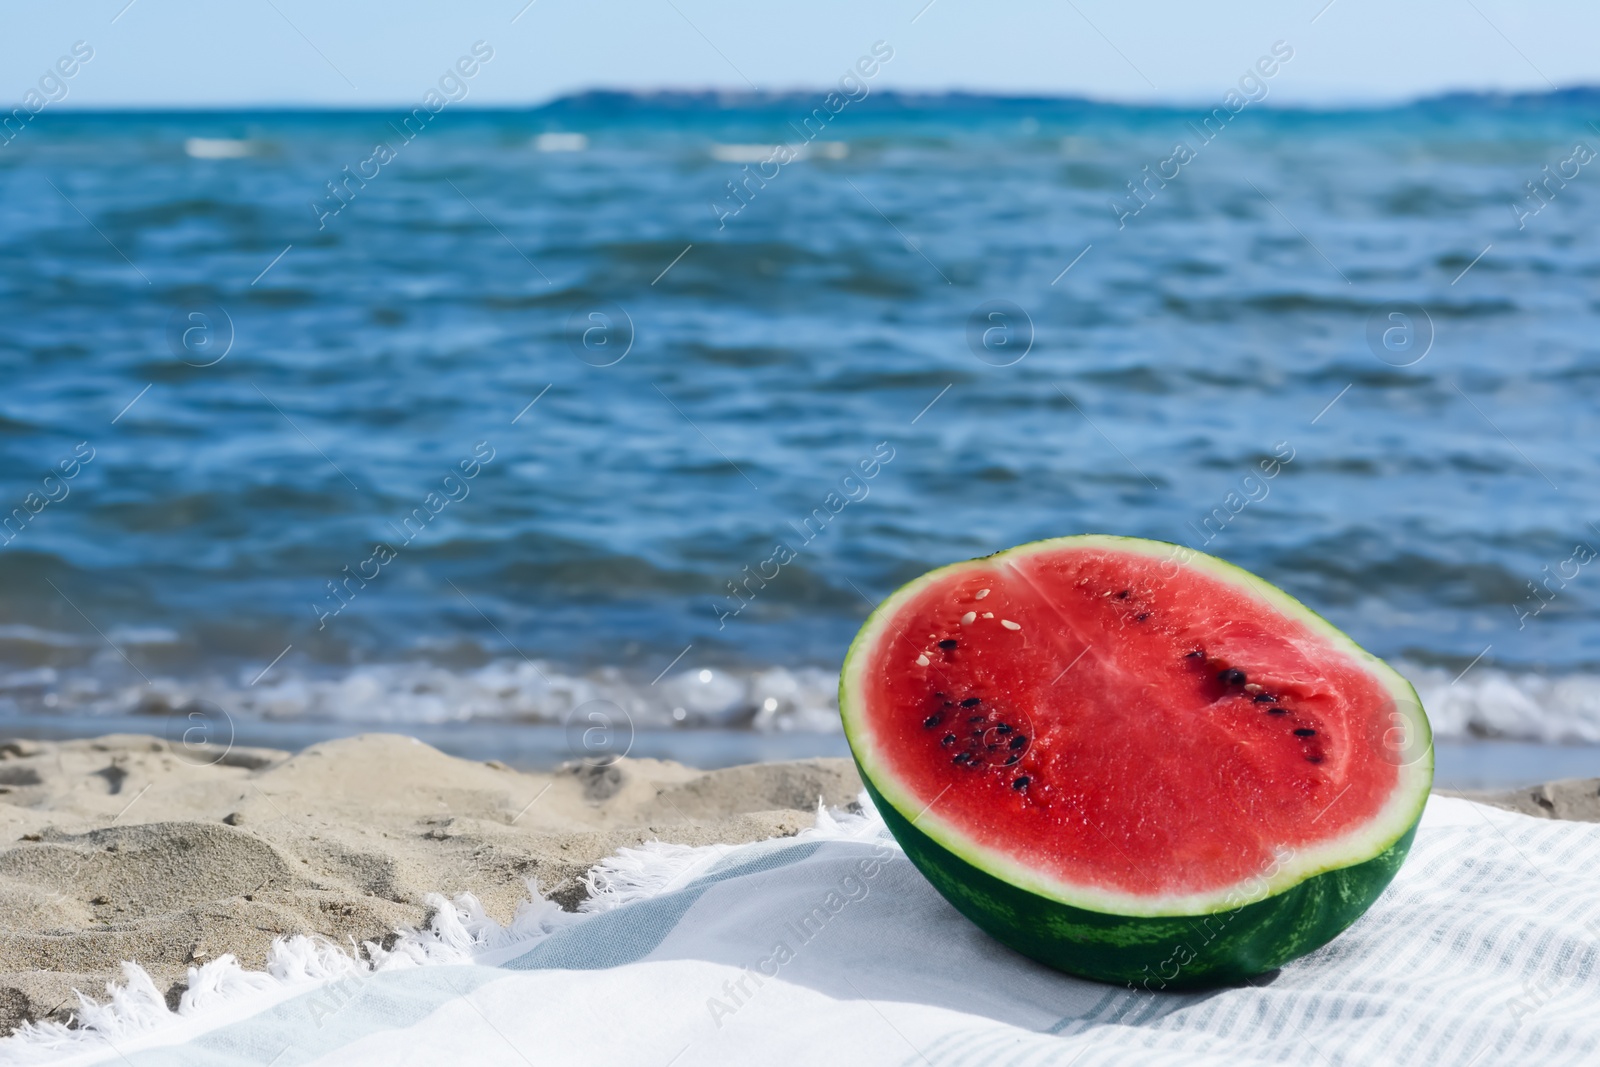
(1121, 724)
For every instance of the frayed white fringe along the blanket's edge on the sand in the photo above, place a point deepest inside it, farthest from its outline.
(457, 932)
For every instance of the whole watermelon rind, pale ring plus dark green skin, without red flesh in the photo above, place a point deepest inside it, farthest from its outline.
(1052, 921)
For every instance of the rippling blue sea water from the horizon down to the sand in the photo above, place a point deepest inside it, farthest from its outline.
(636, 406)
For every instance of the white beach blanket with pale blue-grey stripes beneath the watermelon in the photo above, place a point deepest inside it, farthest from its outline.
(831, 949)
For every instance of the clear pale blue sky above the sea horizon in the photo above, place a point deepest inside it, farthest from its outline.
(377, 54)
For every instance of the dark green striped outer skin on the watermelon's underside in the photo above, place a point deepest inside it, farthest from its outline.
(1154, 953)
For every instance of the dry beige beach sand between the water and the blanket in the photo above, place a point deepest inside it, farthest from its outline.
(124, 849)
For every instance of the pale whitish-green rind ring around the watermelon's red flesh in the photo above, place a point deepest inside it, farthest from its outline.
(1294, 866)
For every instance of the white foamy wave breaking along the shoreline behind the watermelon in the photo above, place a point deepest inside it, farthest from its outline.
(1481, 705)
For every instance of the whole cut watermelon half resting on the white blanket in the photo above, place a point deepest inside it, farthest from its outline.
(1135, 762)
